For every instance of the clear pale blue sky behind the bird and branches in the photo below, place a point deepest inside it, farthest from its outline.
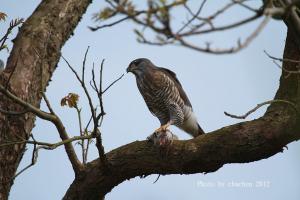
(233, 83)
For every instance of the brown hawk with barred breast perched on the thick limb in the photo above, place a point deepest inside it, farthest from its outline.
(164, 96)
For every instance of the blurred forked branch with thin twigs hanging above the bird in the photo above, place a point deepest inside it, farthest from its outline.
(157, 17)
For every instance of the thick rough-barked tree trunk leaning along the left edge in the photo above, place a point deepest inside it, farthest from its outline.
(32, 61)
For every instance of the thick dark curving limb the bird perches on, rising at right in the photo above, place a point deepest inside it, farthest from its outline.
(239, 143)
